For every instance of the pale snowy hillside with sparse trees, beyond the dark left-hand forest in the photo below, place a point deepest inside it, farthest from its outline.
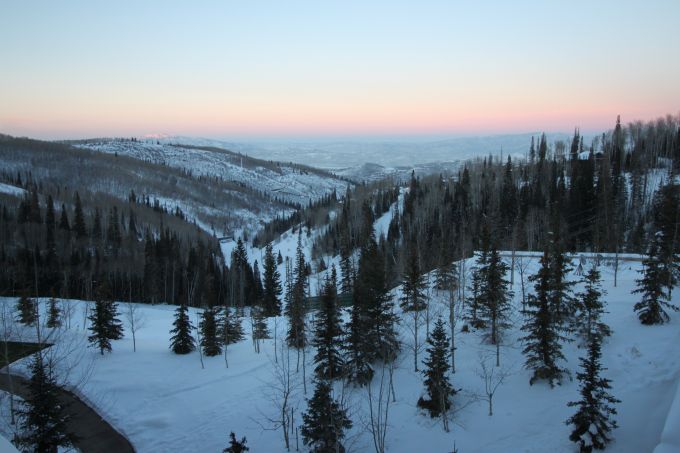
(289, 182)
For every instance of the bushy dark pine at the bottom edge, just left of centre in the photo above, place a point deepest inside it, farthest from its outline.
(325, 422)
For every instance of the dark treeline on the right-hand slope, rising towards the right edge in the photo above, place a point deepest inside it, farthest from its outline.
(598, 195)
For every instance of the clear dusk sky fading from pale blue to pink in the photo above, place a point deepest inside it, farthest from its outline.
(382, 68)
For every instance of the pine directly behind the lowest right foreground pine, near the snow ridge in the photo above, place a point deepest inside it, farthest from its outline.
(590, 308)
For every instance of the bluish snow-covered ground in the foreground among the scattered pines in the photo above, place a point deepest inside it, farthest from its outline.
(168, 403)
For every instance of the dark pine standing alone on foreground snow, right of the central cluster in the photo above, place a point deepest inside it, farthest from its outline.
(437, 384)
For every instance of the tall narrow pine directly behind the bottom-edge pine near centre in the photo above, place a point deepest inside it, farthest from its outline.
(328, 333)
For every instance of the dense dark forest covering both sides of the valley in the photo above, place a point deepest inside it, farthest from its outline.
(592, 197)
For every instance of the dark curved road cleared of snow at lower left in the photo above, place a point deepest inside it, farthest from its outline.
(95, 435)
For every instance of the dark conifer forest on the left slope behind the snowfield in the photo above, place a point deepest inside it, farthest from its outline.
(66, 245)
